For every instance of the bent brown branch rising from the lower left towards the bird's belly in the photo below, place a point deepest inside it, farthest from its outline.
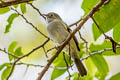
(33, 50)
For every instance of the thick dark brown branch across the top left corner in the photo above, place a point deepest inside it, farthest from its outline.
(12, 2)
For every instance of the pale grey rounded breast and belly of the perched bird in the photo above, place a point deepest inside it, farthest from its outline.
(56, 32)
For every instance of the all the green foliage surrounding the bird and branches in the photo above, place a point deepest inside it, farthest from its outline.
(107, 17)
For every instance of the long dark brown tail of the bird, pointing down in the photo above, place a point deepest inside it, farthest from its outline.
(80, 67)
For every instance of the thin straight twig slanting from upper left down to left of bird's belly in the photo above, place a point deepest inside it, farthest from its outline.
(29, 22)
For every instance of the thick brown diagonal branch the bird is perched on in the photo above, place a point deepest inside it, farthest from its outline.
(98, 5)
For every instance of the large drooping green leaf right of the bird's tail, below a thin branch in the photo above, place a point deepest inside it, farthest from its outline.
(101, 64)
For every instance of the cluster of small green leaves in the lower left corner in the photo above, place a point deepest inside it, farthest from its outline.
(7, 66)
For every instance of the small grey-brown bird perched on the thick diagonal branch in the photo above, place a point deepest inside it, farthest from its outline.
(58, 31)
